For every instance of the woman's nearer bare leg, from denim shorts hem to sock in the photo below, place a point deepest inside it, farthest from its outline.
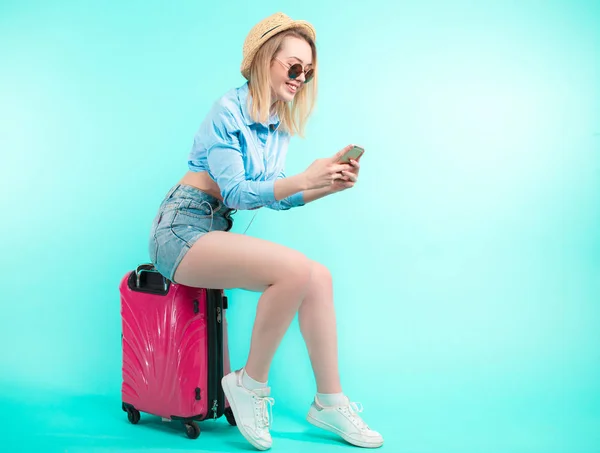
(228, 260)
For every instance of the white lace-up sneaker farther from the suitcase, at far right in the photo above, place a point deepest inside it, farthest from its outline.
(345, 422)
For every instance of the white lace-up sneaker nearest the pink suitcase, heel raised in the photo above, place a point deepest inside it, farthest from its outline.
(252, 410)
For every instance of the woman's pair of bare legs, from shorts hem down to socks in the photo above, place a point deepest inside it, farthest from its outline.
(290, 283)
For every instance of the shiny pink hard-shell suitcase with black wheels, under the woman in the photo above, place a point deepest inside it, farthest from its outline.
(175, 351)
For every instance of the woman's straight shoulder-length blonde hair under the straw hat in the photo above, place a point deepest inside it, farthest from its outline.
(294, 115)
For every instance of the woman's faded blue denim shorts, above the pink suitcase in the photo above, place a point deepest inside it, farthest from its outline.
(185, 214)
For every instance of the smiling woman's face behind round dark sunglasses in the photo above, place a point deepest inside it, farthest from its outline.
(293, 50)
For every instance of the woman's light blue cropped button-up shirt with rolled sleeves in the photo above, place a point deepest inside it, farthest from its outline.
(242, 156)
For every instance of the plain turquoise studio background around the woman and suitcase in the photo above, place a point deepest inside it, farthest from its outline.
(466, 261)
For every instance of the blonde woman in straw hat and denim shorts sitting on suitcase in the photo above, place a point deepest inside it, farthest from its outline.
(237, 162)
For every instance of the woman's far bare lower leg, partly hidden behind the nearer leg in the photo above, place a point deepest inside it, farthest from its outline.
(318, 327)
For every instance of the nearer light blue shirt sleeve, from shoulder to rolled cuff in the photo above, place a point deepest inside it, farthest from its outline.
(226, 167)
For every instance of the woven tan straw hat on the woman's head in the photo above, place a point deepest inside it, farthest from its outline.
(265, 29)
